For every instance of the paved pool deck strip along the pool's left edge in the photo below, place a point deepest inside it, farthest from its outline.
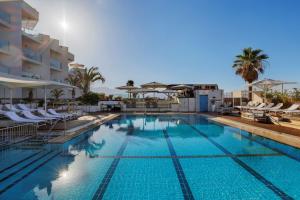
(90, 122)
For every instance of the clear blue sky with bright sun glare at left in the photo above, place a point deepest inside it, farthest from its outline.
(176, 41)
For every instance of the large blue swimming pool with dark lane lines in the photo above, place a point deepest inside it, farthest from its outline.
(154, 157)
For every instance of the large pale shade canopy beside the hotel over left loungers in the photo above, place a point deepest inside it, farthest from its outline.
(11, 81)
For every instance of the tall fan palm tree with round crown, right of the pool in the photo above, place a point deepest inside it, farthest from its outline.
(249, 65)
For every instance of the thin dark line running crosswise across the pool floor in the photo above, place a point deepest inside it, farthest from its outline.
(190, 156)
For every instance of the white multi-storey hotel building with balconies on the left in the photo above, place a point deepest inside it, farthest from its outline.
(29, 55)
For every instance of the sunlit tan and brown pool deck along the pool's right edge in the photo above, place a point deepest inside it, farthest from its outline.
(282, 134)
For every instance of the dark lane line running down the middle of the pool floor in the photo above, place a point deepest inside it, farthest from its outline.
(185, 188)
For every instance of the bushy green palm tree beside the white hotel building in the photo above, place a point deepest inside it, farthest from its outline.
(87, 77)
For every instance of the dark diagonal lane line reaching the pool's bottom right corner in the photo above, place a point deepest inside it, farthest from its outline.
(258, 176)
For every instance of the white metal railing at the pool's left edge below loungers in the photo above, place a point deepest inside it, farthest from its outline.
(16, 133)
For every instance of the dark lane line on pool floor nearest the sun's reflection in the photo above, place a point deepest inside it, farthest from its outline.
(110, 172)
